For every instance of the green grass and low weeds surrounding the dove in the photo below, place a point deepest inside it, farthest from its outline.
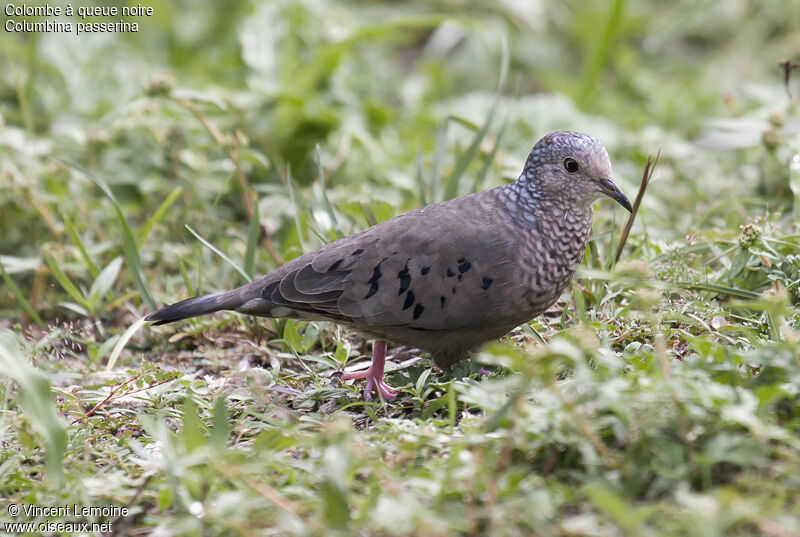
(659, 397)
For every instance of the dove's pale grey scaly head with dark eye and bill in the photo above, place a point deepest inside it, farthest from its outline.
(571, 166)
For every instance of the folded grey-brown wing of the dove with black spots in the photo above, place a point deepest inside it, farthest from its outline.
(437, 268)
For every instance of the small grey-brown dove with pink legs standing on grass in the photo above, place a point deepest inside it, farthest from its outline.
(448, 277)
